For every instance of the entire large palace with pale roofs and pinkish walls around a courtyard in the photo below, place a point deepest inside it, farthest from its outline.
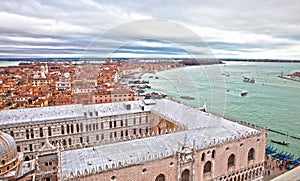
(136, 140)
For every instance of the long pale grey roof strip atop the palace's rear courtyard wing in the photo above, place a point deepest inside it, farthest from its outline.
(29, 115)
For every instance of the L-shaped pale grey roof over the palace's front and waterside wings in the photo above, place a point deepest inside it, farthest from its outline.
(203, 129)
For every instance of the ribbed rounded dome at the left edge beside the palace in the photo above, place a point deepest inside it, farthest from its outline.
(8, 149)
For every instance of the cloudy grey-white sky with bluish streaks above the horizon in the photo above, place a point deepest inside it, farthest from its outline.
(91, 28)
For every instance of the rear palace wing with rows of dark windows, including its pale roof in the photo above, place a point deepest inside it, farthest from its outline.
(74, 126)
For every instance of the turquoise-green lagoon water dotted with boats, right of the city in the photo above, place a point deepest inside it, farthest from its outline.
(271, 101)
